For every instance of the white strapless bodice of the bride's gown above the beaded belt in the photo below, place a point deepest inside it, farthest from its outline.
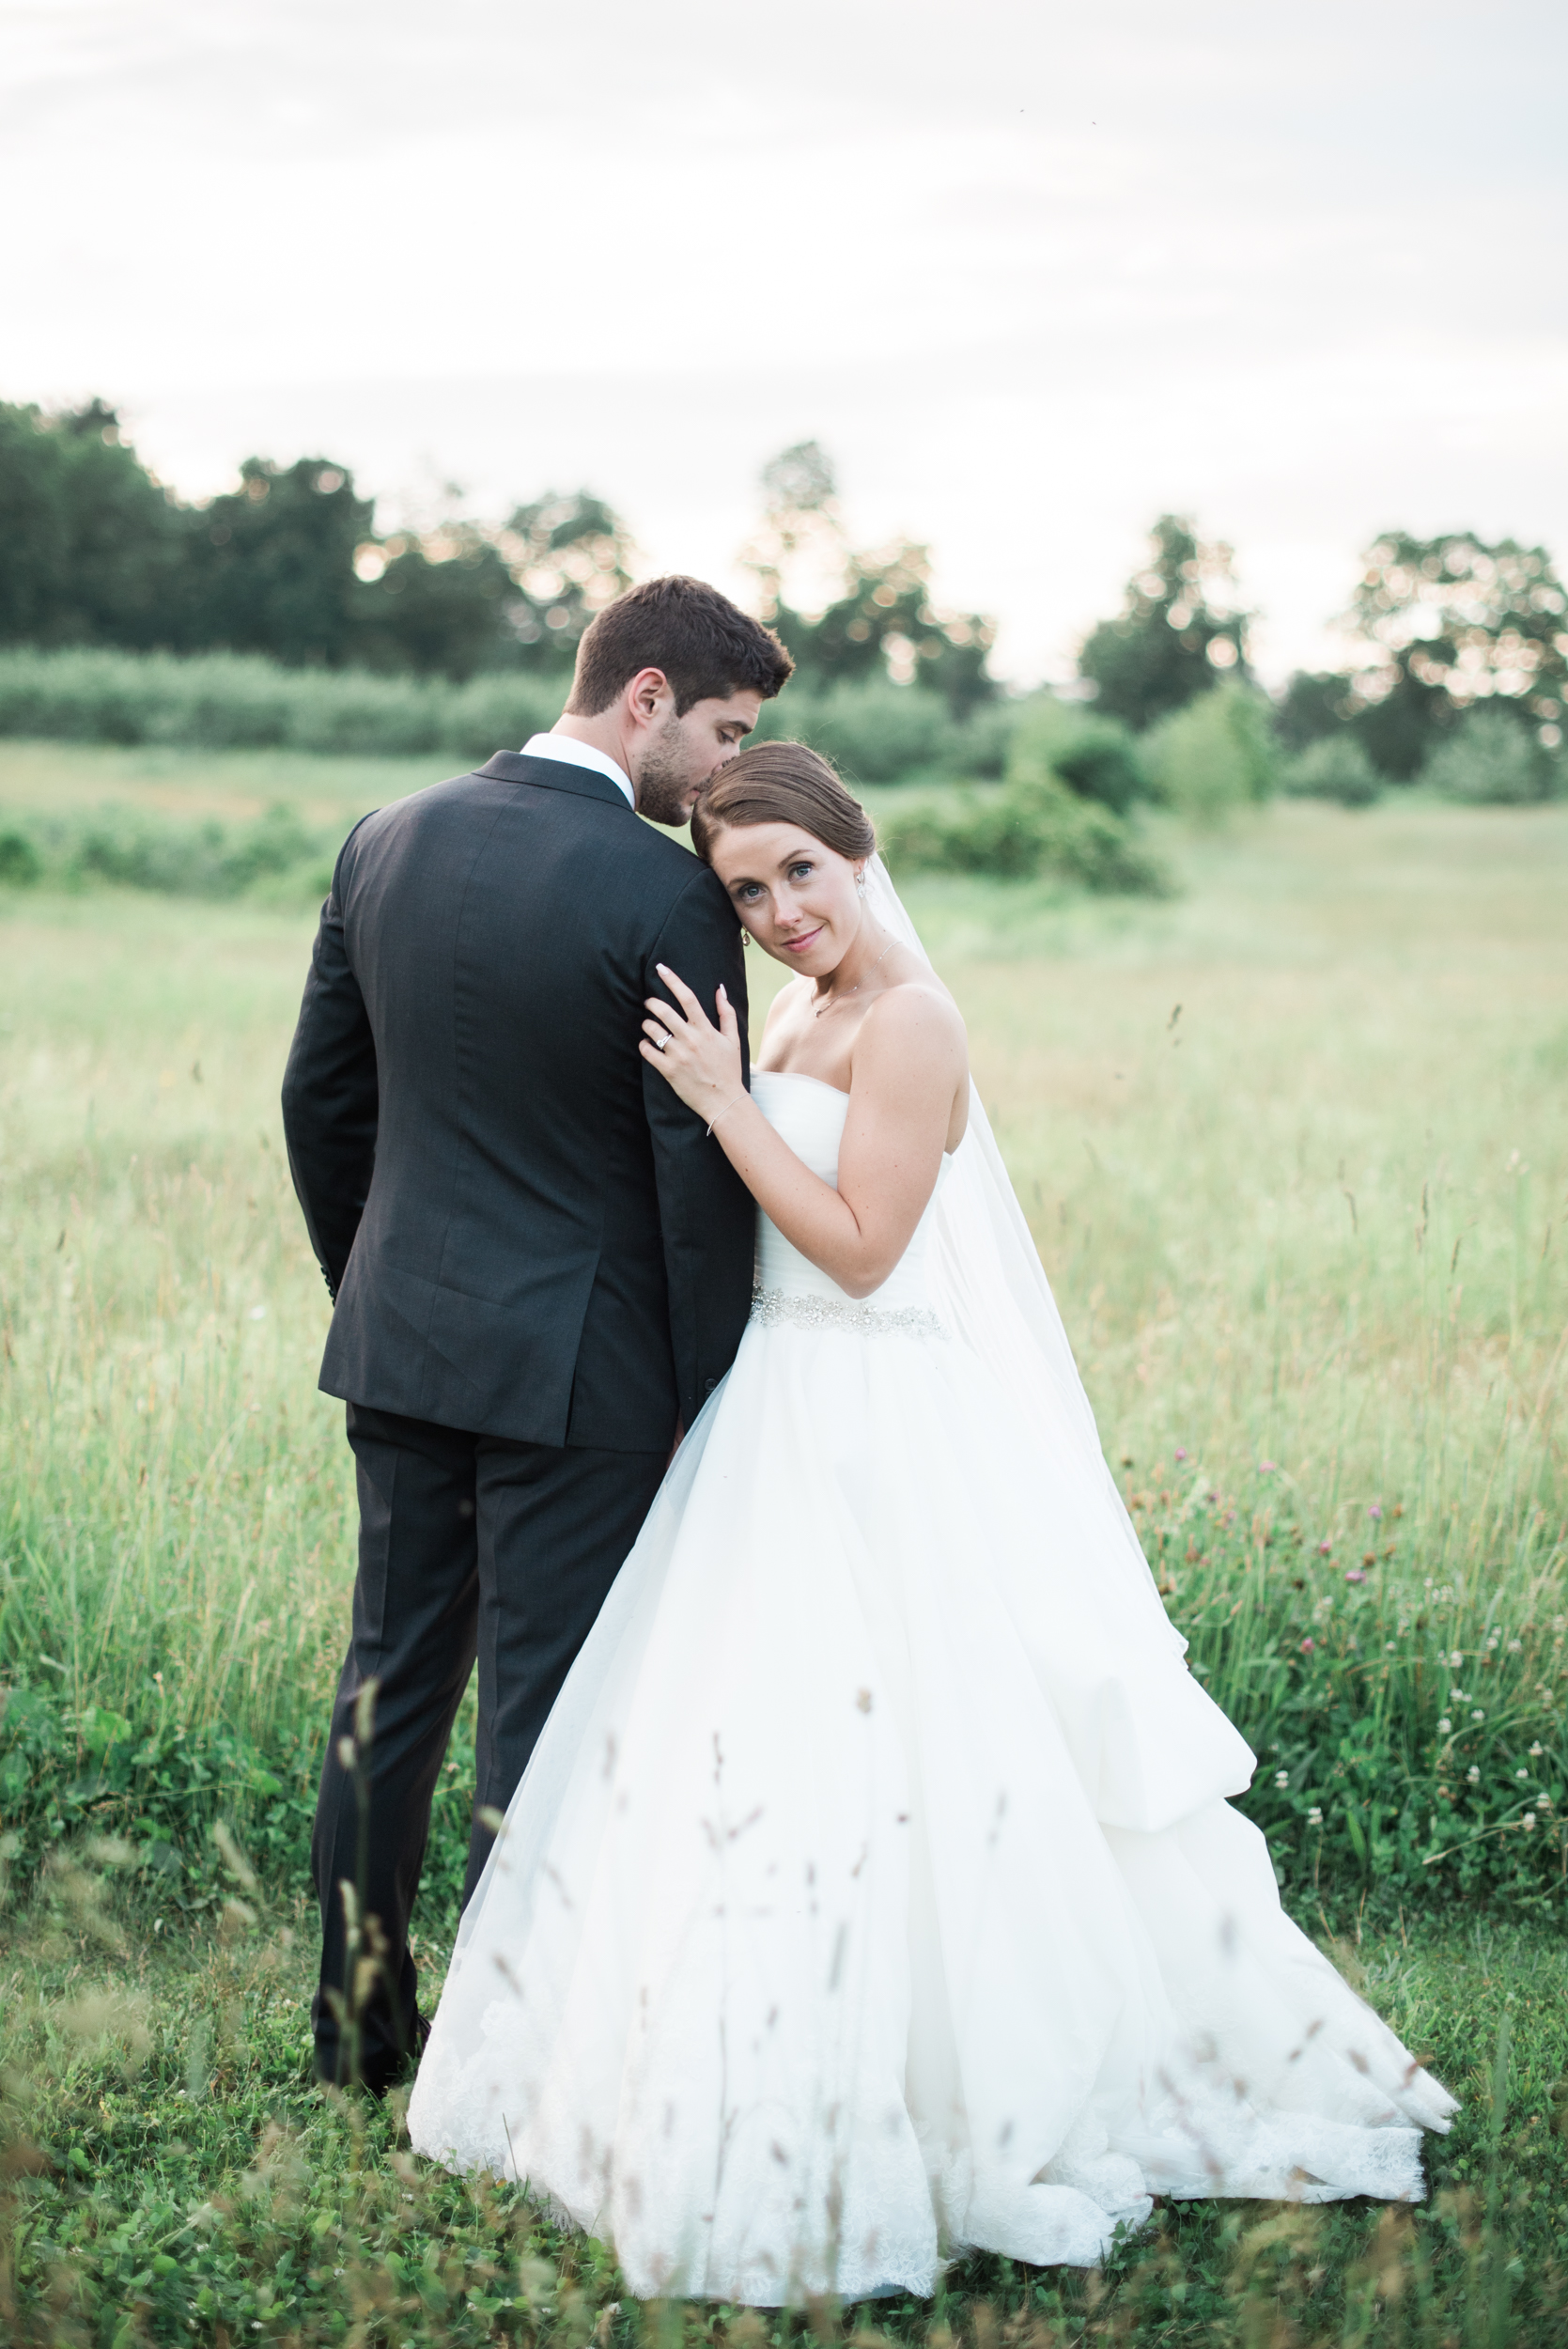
(811, 1117)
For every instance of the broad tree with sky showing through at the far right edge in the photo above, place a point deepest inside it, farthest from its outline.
(1447, 624)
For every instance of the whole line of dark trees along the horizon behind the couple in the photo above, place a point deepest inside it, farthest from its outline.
(290, 565)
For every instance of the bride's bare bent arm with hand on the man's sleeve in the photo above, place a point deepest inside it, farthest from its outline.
(910, 1063)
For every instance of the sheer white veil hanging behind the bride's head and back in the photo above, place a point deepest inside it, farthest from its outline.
(994, 1293)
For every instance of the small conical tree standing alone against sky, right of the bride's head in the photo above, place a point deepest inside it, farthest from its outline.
(1177, 635)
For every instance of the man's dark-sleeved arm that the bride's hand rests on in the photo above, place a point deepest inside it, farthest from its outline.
(705, 1211)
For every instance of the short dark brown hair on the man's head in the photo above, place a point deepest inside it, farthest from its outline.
(705, 647)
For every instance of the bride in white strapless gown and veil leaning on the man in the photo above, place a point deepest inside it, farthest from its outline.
(872, 1890)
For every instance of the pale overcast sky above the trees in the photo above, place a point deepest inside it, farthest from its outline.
(1032, 271)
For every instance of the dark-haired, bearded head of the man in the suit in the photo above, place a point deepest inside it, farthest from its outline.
(677, 675)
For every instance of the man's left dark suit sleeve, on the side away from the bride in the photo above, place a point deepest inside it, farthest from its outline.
(332, 1096)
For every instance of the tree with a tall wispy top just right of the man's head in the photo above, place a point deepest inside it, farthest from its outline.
(872, 614)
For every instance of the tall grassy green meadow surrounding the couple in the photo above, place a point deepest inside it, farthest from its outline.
(1295, 1145)
